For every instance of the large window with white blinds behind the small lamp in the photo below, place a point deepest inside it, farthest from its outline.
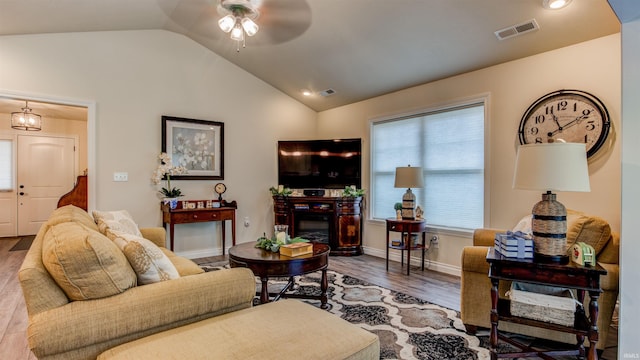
(449, 146)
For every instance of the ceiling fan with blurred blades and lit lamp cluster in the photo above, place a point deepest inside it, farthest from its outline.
(276, 21)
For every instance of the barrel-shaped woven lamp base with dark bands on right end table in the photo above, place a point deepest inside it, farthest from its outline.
(549, 227)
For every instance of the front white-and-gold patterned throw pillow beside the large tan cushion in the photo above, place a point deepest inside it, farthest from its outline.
(146, 258)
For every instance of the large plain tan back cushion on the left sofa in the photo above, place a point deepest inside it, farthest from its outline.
(84, 263)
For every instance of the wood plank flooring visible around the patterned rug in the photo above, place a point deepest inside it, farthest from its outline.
(438, 288)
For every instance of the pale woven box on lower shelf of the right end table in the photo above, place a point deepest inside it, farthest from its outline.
(543, 303)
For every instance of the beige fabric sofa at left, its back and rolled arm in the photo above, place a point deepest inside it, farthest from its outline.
(60, 328)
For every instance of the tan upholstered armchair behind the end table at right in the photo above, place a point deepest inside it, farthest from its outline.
(475, 297)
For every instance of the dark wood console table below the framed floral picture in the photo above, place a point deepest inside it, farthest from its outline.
(227, 211)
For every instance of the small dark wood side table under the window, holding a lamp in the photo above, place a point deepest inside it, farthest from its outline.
(406, 227)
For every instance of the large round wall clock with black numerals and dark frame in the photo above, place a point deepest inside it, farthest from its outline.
(566, 115)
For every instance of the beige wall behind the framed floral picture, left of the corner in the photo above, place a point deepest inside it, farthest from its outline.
(135, 77)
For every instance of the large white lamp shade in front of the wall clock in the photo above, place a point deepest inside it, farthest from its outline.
(552, 167)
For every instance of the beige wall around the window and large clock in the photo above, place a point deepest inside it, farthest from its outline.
(592, 66)
